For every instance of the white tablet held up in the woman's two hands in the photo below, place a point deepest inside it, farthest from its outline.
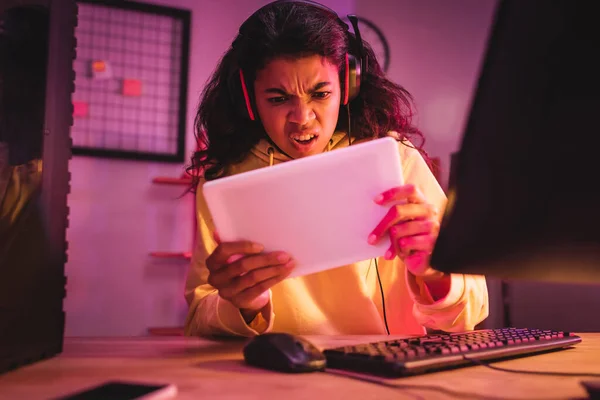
(318, 209)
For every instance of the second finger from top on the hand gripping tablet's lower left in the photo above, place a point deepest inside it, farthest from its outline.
(224, 275)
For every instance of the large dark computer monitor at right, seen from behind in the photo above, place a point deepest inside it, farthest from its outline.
(524, 201)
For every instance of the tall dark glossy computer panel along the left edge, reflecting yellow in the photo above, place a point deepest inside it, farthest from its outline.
(37, 45)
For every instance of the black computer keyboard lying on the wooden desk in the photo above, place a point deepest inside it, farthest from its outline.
(435, 352)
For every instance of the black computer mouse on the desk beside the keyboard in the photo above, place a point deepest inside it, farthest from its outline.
(283, 352)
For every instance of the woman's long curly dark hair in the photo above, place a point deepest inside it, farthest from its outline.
(291, 29)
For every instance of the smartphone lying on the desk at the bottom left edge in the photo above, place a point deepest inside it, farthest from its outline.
(121, 390)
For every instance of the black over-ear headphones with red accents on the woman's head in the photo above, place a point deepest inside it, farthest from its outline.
(353, 70)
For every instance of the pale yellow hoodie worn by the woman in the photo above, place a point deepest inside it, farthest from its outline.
(344, 300)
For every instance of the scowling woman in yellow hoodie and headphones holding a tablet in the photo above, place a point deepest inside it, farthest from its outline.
(295, 83)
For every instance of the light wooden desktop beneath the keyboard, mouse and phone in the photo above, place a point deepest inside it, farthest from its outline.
(205, 369)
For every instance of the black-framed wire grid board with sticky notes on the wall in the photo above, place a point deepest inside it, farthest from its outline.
(131, 79)
